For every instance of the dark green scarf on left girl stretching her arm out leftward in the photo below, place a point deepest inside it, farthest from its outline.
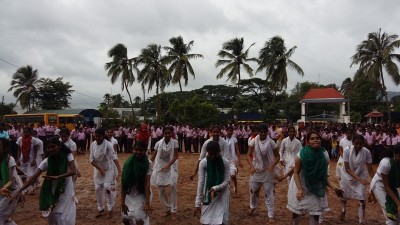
(57, 165)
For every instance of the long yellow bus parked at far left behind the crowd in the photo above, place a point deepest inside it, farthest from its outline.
(26, 119)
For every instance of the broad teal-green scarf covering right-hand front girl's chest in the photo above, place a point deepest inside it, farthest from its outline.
(315, 169)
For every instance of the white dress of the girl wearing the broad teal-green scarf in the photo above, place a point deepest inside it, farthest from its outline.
(310, 203)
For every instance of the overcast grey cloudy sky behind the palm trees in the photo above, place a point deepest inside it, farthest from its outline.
(71, 38)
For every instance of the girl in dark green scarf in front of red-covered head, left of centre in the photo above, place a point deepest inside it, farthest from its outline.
(135, 183)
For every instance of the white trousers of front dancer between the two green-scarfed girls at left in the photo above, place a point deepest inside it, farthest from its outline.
(108, 191)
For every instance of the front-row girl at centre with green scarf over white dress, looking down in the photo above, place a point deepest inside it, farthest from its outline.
(213, 195)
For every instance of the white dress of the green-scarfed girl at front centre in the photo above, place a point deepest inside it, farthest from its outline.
(217, 212)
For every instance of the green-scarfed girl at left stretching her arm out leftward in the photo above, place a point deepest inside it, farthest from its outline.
(57, 191)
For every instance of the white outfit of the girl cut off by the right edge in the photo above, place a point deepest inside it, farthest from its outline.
(378, 188)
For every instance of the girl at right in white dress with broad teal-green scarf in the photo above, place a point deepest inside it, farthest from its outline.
(308, 184)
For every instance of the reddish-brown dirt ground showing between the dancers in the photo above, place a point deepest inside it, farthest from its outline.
(87, 208)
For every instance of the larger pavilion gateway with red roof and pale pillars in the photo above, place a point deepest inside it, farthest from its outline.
(325, 95)
